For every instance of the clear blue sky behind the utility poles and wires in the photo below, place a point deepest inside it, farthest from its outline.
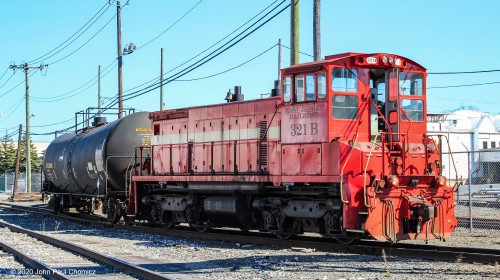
(443, 36)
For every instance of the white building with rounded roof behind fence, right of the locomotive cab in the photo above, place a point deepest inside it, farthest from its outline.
(474, 141)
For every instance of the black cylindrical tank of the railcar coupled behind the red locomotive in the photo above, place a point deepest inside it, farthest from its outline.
(82, 163)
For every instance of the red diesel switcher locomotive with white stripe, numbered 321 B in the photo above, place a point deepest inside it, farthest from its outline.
(341, 150)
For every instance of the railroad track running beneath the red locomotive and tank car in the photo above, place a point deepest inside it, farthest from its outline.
(366, 247)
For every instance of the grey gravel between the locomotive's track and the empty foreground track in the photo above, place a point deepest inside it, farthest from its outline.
(188, 259)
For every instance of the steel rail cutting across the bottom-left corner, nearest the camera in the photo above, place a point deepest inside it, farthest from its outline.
(40, 268)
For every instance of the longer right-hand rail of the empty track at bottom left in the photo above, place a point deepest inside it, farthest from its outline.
(110, 261)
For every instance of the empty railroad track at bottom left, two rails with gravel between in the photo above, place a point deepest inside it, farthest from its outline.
(69, 262)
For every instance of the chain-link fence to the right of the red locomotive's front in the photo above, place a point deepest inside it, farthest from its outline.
(477, 201)
